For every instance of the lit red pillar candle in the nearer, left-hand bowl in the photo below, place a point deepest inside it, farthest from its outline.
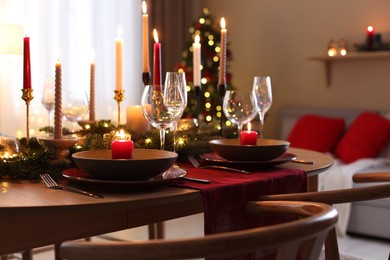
(122, 146)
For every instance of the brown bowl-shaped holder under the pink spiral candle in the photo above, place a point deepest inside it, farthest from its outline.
(59, 146)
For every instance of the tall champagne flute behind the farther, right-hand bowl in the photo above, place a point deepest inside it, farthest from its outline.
(263, 95)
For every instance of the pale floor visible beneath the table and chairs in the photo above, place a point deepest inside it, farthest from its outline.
(361, 248)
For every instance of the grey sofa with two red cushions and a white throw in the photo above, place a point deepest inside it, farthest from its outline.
(369, 218)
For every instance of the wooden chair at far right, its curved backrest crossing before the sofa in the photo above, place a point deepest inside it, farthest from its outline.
(338, 197)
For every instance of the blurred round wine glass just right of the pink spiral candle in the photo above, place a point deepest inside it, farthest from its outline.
(74, 107)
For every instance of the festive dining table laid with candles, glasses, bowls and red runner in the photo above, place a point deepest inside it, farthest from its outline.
(147, 159)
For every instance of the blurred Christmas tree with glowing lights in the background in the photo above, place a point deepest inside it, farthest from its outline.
(209, 109)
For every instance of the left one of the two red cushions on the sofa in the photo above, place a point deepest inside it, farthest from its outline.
(316, 132)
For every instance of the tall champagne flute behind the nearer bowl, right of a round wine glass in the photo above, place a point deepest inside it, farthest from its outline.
(175, 99)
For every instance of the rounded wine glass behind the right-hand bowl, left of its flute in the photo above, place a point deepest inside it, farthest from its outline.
(239, 107)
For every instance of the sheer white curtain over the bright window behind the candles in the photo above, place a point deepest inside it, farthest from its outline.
(73, 29)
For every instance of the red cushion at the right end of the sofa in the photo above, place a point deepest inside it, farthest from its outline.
(367, 136)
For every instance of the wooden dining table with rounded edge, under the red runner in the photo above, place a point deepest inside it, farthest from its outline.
(31, 215)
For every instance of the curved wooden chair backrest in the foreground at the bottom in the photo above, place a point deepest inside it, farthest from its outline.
(304, 236)
